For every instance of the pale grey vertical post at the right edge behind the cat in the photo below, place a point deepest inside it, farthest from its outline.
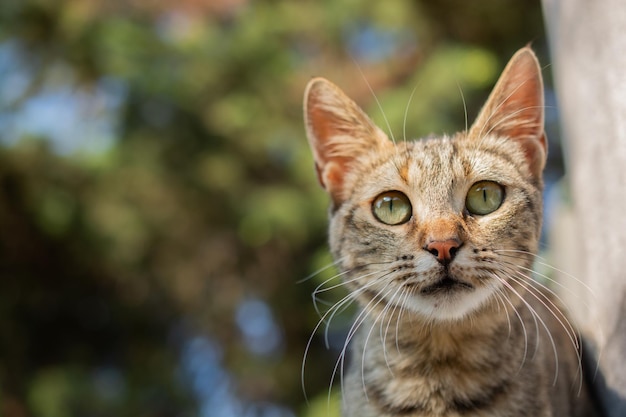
(588, 45)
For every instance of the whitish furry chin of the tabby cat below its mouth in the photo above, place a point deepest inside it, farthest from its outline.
(448, 300)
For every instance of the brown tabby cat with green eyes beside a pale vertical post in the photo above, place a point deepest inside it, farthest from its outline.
(435, 239)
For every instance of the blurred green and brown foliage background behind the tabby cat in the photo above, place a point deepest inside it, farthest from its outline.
(160, 221)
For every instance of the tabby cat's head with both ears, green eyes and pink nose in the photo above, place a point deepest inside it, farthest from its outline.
(443, 226)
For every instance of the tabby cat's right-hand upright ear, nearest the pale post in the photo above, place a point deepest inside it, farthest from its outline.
(515, 109)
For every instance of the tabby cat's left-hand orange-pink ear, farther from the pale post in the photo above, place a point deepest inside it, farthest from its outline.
(339, 133)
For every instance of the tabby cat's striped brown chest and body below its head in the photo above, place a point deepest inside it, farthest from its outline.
(485, 369)
